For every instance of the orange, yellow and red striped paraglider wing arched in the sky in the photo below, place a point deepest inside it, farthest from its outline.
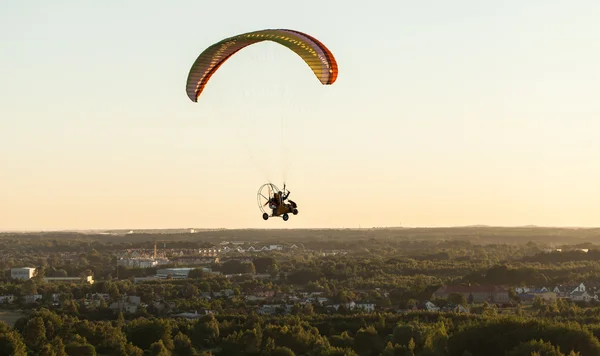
(311, 50)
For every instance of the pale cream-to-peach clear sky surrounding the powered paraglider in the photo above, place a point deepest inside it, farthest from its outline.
(444, 113)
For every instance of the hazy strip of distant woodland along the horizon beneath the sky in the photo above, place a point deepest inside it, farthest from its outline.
(477, 234)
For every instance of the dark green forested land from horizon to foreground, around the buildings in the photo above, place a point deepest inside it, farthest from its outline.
(320, 292)
